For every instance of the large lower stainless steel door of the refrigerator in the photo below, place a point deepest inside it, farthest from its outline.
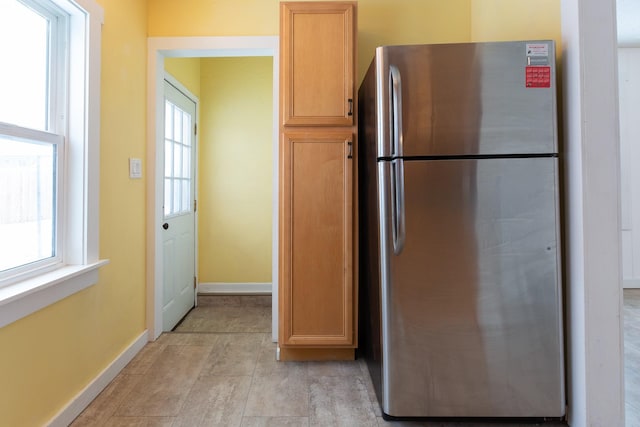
(471, 308)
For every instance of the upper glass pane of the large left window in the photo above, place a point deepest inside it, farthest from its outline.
(24, 86)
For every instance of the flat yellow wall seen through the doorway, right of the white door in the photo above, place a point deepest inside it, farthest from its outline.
(235, 170)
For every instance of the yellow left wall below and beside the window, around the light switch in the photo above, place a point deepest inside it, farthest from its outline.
(50, 356)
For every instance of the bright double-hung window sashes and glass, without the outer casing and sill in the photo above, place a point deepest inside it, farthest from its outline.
(31, 136)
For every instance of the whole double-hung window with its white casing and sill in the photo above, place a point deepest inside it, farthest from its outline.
(49, 147)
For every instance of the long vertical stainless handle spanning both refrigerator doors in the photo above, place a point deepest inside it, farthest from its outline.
(397, 174)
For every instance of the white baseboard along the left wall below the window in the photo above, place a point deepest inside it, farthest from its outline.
(99, 383)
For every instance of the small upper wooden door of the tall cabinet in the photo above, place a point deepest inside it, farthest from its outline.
(317, 51)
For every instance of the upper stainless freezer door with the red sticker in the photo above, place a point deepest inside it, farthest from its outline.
(468, 98)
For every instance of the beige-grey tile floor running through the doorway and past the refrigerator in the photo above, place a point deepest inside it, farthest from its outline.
(220, 370)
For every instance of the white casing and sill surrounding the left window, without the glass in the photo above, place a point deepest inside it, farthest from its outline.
(79, 170)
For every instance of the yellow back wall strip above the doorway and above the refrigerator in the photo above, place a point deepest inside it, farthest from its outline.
(379, 21)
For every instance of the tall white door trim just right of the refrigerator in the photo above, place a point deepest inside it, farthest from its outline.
(591, 158)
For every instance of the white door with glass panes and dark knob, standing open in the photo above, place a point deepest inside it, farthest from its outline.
(178, 234)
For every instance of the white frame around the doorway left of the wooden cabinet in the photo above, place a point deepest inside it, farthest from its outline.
(188, 47)
